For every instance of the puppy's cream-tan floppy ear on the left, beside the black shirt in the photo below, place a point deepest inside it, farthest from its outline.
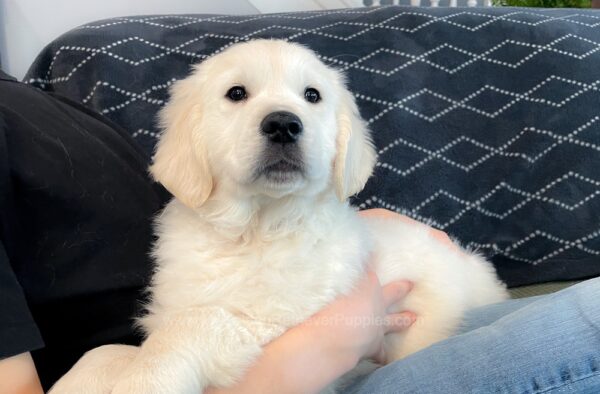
(180, 160)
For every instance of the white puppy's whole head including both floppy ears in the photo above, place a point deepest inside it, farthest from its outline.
(264, 117)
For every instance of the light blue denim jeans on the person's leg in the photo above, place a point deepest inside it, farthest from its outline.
(546, 344)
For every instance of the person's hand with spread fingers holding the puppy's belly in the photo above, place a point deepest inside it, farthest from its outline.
(354, 325)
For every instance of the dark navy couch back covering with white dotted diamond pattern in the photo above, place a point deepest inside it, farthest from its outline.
(486, 120)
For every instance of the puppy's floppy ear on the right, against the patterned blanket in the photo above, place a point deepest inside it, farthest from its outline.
(355, 156)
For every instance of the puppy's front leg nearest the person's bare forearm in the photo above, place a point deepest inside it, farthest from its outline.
(192, 350)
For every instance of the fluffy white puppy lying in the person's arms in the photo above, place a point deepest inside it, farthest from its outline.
(262, 146)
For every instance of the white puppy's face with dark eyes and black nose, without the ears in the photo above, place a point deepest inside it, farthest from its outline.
(269, 118)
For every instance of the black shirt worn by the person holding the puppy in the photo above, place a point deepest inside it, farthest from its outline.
(76, 206)
